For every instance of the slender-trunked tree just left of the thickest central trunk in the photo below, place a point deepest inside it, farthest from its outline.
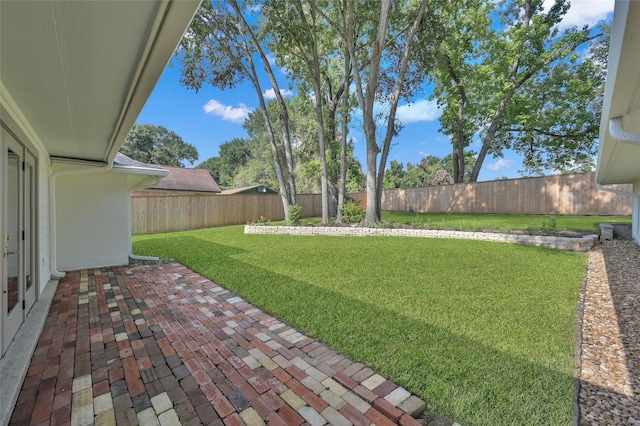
(307, 45)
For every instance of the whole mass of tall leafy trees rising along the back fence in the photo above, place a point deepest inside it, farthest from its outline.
(502, 72)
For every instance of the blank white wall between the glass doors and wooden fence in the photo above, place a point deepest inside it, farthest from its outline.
(92, 214)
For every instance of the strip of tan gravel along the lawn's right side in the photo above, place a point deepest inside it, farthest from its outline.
(610, 341)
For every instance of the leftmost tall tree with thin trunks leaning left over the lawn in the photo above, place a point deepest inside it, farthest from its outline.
(221, 47)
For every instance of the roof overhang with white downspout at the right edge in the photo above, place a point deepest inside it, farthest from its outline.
(619, 149)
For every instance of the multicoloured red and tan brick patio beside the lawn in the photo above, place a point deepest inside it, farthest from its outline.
(162, 345)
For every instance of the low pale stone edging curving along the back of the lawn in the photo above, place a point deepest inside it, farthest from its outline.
(585, 243)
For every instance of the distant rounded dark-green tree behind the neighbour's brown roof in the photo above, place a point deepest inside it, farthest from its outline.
(158, 145)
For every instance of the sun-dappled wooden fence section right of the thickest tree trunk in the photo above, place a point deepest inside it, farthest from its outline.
(574, 194)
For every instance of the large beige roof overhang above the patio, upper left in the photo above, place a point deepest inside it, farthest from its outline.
(76, 74)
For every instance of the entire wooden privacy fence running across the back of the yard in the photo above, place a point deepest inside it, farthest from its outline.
(560, 195)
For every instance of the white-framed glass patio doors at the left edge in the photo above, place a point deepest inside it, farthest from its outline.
(17, 185)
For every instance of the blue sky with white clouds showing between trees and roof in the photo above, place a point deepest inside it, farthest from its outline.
(211, 117)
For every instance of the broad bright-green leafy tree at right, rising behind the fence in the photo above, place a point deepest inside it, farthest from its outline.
(514, 80)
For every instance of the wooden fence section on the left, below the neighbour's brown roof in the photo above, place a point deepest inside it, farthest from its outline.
(167, 213)
